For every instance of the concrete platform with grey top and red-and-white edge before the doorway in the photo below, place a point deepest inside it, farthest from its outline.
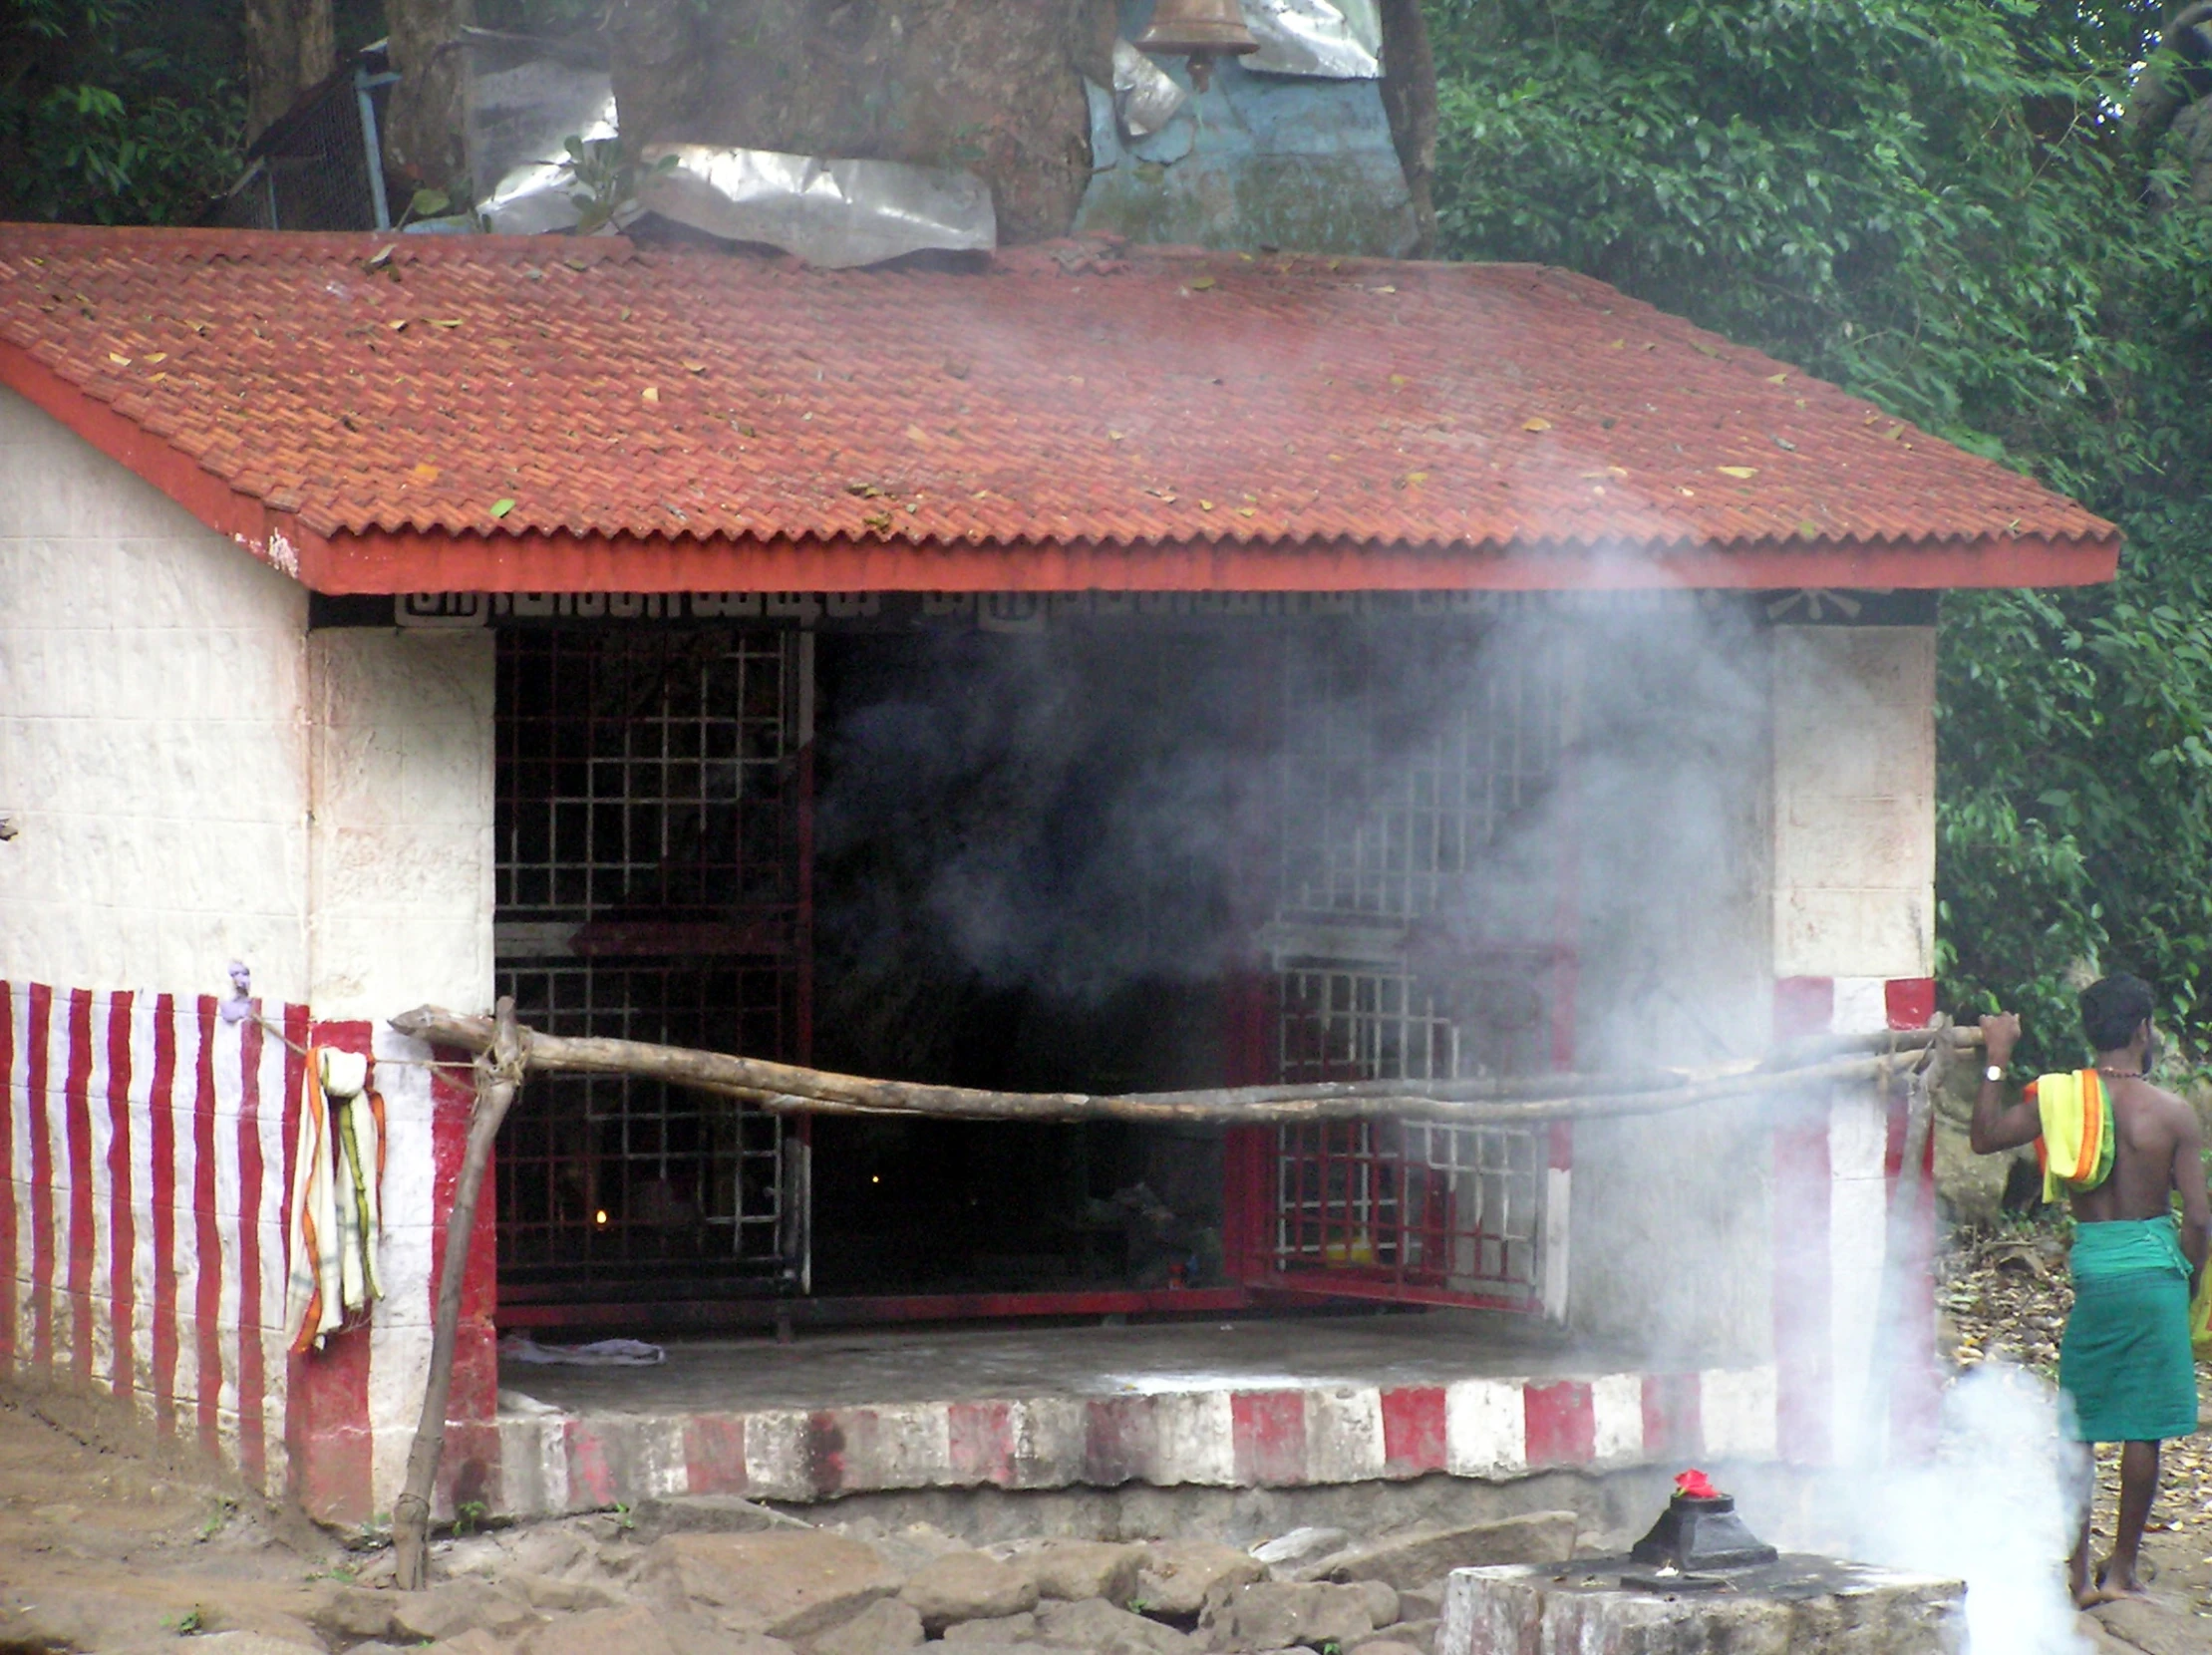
(1253, 1404)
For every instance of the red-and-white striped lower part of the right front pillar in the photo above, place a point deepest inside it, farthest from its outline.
(1855, 1295)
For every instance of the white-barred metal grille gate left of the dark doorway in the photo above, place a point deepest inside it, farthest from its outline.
(649, 888)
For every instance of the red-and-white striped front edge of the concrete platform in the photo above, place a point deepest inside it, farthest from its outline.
(1220, 1437)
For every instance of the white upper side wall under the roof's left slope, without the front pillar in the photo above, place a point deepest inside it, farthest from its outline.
(152, 733)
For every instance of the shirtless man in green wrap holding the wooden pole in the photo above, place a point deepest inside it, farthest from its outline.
(2127, 1362)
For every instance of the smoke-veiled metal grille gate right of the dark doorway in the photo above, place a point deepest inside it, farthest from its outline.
(1392, 809)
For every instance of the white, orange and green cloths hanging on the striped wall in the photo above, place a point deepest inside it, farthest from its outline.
(337, 1198)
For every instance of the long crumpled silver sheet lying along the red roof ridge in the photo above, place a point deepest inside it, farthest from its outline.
(828, 214)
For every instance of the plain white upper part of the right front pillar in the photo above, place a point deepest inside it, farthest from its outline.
(1855, 802)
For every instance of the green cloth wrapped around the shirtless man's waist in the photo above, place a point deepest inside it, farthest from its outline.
(2127, 1362)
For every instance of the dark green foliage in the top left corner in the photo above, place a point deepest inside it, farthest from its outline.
(116, 112)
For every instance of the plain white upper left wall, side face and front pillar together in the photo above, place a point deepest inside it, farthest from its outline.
(196, 778)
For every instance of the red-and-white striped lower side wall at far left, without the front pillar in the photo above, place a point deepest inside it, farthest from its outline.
(149, 1154)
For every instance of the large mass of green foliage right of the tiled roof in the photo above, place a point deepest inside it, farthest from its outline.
(1928, 202)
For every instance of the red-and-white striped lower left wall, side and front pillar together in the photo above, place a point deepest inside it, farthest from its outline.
(143, 1240)
